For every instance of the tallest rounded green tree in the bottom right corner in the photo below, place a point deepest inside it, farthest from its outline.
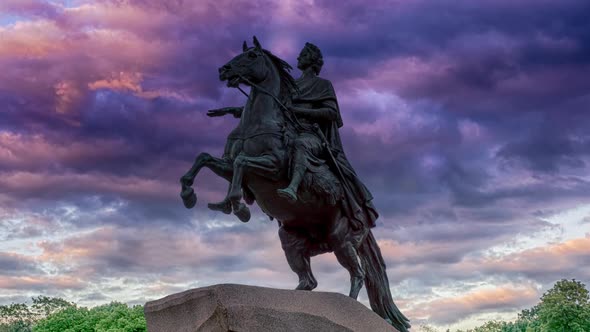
(565, 307)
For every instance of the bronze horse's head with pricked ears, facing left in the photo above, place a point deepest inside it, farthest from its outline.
(250, 64)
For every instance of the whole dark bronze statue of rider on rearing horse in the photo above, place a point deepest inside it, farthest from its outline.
(286, 155)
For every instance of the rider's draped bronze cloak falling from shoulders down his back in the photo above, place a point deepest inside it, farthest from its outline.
(358, 200)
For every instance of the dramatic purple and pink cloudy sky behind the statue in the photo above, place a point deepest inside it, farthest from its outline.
(468, 120)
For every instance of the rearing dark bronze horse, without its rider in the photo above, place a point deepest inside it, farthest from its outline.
(257, 162)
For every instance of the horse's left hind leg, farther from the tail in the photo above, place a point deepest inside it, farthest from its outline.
(296, 250)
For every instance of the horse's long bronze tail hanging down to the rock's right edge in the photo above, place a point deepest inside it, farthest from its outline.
(378, 285)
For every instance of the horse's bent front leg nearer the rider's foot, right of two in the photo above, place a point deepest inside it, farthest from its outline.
(242, 164)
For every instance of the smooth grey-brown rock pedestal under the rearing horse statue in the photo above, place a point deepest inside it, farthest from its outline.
(239, 308)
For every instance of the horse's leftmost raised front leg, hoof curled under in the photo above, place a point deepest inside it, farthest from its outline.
(219, 166)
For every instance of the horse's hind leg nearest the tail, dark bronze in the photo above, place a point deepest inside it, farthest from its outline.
(346, 253)
